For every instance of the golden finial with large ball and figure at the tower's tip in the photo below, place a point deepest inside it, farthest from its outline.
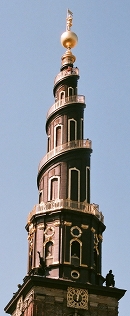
(69, 40)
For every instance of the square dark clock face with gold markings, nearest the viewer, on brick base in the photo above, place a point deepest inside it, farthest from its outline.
(77, 298)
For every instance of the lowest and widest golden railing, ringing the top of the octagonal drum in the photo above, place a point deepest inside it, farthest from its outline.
(68, 205)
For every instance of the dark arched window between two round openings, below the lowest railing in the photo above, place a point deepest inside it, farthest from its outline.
(75, 252)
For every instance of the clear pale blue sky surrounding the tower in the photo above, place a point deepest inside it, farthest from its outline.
(30, 59)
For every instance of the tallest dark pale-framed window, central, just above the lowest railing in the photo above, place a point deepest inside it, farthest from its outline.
(74, 184)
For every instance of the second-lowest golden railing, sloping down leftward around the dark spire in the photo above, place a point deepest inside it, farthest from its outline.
(74, 144)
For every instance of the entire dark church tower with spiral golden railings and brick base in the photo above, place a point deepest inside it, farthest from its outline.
(65, 230)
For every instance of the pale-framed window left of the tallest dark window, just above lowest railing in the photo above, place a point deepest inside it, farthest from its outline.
(54, 187)
